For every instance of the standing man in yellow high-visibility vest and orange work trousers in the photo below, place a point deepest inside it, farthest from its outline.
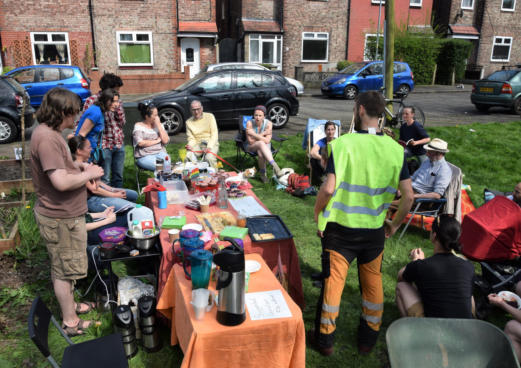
(364, 171)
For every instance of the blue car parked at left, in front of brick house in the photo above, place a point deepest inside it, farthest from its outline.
(38, 79)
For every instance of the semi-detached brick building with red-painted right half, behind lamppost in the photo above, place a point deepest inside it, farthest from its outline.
(310, 34)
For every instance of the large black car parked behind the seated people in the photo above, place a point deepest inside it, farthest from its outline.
(229, 94)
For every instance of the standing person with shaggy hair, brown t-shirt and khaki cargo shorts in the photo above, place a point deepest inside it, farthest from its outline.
(62, 202)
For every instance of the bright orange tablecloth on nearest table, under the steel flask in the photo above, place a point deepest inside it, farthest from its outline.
(278, 342)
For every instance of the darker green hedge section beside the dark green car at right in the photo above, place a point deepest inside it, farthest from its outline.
(452, 57)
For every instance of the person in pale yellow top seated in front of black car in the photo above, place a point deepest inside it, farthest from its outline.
(202, 135)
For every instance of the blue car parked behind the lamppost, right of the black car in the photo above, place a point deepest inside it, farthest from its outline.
(361, 77)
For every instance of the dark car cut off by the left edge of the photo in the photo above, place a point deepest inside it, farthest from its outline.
(12, 95)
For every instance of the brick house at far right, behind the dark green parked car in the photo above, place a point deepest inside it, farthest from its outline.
(493, 26)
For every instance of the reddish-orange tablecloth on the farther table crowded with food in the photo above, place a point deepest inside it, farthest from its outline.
(269, 251)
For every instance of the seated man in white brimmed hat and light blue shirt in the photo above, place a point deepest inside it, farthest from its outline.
(433, 177)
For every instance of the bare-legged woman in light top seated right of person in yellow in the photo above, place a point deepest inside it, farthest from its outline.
(258, 136)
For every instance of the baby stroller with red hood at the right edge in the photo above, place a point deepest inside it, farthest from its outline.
(491, 235)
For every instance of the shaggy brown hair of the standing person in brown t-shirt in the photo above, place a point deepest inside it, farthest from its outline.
(57, 104)
